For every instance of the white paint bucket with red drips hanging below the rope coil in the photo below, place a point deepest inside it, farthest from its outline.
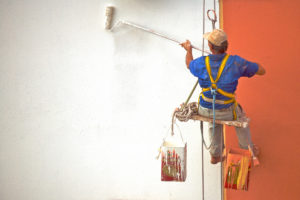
(173, 159)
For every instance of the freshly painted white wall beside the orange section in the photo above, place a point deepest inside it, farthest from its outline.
(84, 110)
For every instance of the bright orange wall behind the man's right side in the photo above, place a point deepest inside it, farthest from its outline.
(268, 32)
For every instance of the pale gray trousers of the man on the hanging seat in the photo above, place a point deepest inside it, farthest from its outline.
(243, 134)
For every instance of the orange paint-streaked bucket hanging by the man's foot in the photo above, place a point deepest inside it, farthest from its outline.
(237, 171)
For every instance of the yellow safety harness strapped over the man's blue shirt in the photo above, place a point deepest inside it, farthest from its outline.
(214, 88)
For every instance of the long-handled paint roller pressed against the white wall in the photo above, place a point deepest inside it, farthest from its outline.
(109, 12)
